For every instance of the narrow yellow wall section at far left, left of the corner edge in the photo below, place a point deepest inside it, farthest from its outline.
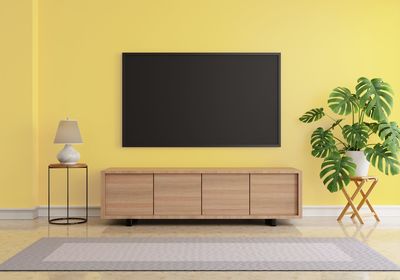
(18, 105)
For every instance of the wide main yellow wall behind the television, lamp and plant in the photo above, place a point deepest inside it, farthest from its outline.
(324, 44)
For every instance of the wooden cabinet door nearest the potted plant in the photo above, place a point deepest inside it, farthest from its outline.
(274, 194)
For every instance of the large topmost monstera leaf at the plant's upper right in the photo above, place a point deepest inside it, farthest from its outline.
(376, 97)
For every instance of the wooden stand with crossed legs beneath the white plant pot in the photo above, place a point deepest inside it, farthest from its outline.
(359, 181)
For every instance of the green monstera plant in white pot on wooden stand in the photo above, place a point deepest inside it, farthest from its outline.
(366, 136)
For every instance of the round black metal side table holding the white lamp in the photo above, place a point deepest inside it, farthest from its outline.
(66, 220)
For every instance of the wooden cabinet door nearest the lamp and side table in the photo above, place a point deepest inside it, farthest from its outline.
(128, 195)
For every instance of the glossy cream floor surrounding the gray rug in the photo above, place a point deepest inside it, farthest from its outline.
(384, 237)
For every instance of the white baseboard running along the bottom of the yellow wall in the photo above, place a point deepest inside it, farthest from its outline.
(94, 211)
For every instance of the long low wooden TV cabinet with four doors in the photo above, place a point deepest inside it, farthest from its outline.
(201, 193)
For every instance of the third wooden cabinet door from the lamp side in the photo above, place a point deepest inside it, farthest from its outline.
(225, 194)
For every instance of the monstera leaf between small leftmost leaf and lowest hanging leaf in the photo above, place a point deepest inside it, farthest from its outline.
(323, 143)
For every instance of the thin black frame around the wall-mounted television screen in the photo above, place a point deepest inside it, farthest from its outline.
(278, 132)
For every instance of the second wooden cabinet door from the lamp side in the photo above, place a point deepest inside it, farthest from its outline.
(177, 194)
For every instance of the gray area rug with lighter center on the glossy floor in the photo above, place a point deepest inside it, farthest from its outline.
(202, 254)
